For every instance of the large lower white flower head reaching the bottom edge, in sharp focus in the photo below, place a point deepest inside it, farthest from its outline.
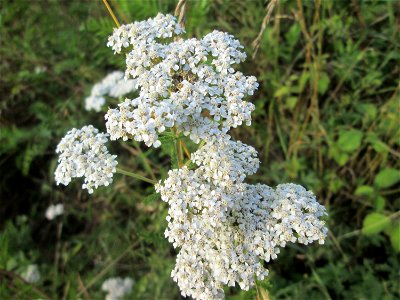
(225, 227)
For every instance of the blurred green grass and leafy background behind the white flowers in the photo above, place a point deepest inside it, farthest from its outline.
(327, 117)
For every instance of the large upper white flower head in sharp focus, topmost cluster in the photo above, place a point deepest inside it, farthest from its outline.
(189, 84)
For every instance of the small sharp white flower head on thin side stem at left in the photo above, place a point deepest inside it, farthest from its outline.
(83, 154)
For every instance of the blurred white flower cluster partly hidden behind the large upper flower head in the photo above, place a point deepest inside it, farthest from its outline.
(113, 85)
